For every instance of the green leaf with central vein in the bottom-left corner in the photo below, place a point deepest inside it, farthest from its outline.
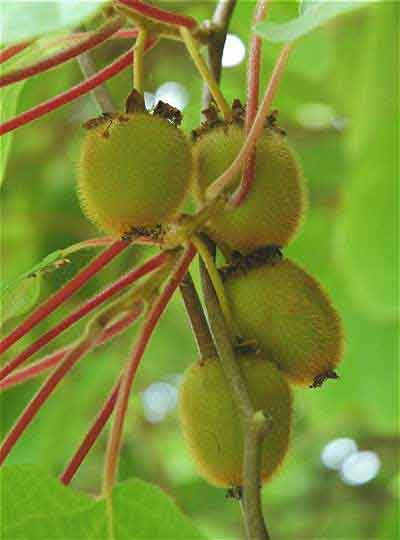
(36, 506)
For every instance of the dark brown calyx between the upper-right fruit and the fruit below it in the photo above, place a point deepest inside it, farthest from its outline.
(241, 264)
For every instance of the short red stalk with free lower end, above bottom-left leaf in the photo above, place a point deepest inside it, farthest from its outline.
(91, 436)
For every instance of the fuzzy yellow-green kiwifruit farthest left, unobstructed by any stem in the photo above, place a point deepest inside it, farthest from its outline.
(137, 176)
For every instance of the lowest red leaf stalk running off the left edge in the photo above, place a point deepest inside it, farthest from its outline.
(41, 396)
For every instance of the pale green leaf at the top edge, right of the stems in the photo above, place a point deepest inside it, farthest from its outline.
(312, 16)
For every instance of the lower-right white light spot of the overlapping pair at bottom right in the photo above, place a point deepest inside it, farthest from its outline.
(360, 468)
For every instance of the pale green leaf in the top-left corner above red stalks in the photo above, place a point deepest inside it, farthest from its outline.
(22, 21)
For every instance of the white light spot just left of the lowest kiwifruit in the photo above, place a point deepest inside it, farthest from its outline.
(158, 400)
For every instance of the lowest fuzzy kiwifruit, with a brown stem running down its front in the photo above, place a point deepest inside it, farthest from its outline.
(211, 425)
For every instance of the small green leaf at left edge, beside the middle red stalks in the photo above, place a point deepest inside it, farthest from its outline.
(21, 295)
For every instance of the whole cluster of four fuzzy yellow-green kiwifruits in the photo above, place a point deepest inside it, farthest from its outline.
(135, 171)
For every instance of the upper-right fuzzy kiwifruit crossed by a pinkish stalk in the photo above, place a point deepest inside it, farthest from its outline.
(272, 212)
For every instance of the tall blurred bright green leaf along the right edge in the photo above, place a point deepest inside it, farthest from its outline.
(368, 234)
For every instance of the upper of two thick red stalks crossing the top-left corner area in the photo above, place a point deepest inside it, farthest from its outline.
(93, 40)
